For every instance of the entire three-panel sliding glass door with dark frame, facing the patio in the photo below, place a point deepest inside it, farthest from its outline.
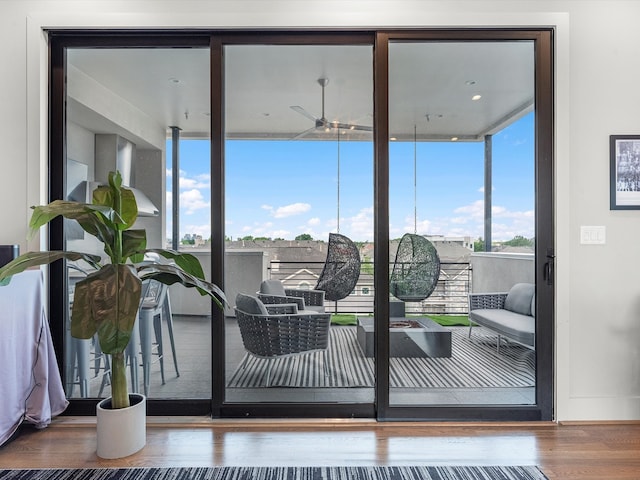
(349, 191)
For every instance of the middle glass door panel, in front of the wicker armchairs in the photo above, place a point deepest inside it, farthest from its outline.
(298, 203)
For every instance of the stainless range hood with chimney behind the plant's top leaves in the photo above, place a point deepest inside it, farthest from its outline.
(113, 152)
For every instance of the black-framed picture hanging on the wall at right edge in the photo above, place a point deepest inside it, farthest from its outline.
(625, 172)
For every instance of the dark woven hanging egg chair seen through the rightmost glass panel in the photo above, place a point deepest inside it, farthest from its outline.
(416, 269)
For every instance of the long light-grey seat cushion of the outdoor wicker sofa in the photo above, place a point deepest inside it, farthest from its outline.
(516, 326)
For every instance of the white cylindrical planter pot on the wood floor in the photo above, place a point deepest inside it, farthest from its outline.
(121, 432)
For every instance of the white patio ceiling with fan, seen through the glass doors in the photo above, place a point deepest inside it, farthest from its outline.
(430, 87)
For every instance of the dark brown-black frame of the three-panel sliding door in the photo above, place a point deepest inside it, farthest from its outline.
(216, 40)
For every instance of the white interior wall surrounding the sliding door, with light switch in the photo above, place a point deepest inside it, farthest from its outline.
(598, 289)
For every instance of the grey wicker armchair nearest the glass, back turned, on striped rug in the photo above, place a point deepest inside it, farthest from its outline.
(279, 330)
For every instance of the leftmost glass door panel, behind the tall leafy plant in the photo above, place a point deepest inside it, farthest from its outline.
(123, 105)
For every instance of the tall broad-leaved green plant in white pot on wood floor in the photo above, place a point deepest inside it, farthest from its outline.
(106, 301)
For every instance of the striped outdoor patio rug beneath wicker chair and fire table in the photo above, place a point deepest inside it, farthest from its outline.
(474, 363)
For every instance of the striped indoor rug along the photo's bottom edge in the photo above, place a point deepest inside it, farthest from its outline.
(281, 473)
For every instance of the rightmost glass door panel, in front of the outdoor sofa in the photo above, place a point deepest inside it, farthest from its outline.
(462, 196)
